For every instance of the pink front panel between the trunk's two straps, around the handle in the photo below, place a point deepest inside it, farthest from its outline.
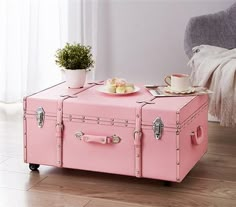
(111, 158)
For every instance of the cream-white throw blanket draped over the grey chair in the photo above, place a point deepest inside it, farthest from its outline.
(215, 68)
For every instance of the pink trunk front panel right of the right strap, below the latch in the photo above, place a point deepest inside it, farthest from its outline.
(159, 156)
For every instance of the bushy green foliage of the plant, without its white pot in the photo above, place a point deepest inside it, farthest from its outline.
(74, 57)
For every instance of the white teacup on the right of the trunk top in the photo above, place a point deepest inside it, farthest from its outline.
(178, 82)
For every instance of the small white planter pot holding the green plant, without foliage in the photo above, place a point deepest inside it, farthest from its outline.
(75, 78)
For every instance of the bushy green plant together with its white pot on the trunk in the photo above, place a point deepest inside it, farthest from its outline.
(76, 59)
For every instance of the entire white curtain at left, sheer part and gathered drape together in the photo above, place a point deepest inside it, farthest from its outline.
(30, 33)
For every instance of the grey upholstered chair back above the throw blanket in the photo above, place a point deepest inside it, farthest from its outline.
(218, 29)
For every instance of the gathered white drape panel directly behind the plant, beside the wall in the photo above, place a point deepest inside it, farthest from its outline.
(83, 26)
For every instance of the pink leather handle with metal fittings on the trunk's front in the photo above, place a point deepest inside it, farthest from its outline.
(98, 139)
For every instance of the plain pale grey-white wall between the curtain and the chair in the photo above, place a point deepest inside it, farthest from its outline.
(142, 40)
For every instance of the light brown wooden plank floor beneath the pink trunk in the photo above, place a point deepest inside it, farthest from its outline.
(212, 182)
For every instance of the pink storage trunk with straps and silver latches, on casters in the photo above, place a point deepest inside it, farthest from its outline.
(137, 135)
